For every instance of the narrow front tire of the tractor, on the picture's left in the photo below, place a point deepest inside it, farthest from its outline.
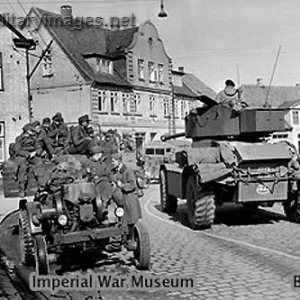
(41, 256)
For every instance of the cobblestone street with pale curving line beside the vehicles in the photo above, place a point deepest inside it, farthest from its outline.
(254, 258)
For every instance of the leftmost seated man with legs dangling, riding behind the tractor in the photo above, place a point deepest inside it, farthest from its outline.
(27, 149)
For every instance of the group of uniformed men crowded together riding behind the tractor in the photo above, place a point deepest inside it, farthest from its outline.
(40, 143)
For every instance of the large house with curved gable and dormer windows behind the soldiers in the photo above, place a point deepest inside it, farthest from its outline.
(122, 78)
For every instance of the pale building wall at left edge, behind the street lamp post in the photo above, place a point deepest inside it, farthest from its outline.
(13, 92)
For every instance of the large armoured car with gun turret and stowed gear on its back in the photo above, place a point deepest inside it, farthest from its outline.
(230, 162)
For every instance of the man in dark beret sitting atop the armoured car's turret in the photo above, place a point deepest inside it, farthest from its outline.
(230, 96)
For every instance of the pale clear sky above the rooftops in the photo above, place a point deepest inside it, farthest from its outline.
(213, 39)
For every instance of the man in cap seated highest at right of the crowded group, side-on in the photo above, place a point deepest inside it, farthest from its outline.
(81, 142)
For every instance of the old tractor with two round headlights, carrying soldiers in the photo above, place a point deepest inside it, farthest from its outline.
(71, 218)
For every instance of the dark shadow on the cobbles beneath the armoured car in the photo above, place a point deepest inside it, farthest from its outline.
(230, 215)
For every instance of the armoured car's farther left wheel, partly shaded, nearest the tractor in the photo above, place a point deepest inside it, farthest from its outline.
(168, 202)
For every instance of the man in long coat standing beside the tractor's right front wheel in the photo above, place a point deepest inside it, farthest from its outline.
(125, 179)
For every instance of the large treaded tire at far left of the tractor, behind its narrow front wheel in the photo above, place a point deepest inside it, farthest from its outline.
(25, 239)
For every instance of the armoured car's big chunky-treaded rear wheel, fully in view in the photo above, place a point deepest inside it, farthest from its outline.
(201, 205)
